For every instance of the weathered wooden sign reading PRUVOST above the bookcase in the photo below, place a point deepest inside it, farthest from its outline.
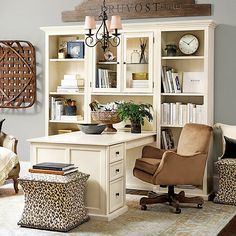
(138, 9)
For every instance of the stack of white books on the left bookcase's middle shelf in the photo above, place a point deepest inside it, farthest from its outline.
(70, 84)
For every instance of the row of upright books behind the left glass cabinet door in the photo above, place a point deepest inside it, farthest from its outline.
(106, 78)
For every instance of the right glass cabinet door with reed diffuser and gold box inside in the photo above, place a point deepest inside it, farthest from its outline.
(138, 62)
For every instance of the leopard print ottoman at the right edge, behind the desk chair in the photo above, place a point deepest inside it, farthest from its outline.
(227, 181)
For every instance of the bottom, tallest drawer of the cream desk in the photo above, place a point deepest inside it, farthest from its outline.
(116, 194)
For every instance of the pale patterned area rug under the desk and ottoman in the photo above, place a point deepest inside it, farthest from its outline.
(157, 220)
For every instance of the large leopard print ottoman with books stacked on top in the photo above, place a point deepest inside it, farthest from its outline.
(54, 202)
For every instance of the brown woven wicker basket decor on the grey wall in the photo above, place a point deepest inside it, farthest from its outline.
(17, 74)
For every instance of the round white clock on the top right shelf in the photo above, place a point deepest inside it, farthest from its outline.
(188, 44)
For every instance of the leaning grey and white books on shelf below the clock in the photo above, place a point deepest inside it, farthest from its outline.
(170, 80)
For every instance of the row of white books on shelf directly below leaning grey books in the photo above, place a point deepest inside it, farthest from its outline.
(180, 114)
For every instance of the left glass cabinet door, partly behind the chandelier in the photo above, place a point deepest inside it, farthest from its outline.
(107, 71)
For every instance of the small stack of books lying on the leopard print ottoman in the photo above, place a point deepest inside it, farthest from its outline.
(53, 168)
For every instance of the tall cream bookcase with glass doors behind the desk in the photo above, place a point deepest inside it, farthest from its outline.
(121, 86)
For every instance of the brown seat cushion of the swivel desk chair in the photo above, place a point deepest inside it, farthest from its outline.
(148, 165)
